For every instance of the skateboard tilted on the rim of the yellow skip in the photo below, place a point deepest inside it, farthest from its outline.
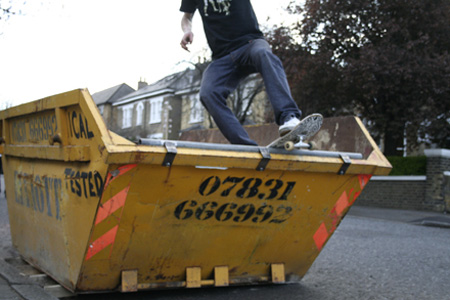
(307, 128)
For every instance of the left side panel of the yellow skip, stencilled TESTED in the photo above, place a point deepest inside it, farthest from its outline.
(53, 191)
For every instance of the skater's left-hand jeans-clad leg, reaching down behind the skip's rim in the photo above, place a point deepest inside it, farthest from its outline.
(219, 80)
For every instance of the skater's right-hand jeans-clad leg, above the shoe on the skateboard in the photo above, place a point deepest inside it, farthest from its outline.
(259, 56)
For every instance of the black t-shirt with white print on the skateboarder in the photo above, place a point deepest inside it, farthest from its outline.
(228, 24)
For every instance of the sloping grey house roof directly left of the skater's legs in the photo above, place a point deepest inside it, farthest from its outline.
(184, 81)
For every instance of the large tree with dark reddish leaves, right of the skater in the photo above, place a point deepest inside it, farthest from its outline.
(387, 60)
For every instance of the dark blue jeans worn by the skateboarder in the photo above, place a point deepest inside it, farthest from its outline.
(223, 76)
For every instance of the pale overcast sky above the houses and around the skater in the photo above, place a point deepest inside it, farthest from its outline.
(60, 45)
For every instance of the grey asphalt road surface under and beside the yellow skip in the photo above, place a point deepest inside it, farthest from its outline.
(367, 258)
